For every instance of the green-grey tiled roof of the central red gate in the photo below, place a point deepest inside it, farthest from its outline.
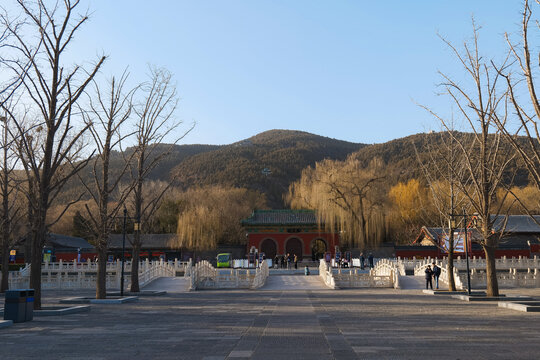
(281, 217)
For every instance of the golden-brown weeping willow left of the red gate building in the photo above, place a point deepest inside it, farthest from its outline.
(211, 215)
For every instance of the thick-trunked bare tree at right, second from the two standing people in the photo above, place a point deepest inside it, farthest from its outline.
(481, 104)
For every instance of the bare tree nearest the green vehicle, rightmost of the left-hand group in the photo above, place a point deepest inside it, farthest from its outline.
(156, 122)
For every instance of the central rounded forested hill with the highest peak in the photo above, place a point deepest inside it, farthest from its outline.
(267, 162)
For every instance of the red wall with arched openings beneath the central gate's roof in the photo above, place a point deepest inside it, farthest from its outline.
(256, 239)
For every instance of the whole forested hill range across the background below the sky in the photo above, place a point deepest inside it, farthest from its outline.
(270, 161)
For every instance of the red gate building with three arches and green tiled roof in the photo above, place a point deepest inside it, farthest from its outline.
(294, 232)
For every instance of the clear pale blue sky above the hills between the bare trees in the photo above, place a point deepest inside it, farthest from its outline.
(350, 70)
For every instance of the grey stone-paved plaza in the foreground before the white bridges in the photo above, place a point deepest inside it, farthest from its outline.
(279, 324)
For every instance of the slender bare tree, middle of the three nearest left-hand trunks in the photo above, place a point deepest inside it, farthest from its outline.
(109, 111)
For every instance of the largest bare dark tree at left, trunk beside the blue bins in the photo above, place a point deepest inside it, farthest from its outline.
(53, 90)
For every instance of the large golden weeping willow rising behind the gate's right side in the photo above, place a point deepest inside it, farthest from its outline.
(347, 199)
